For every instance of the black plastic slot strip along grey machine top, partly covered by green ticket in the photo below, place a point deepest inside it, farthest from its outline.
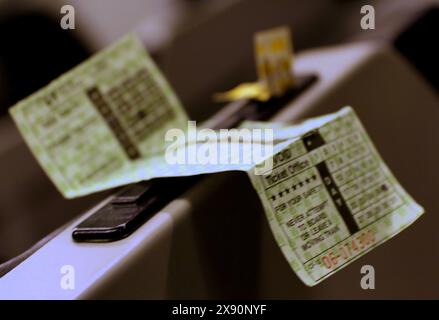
(133, 205)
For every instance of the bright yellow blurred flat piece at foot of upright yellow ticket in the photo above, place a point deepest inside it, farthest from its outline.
(254, 90)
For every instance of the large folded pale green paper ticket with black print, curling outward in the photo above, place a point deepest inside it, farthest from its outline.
(328, 196)
